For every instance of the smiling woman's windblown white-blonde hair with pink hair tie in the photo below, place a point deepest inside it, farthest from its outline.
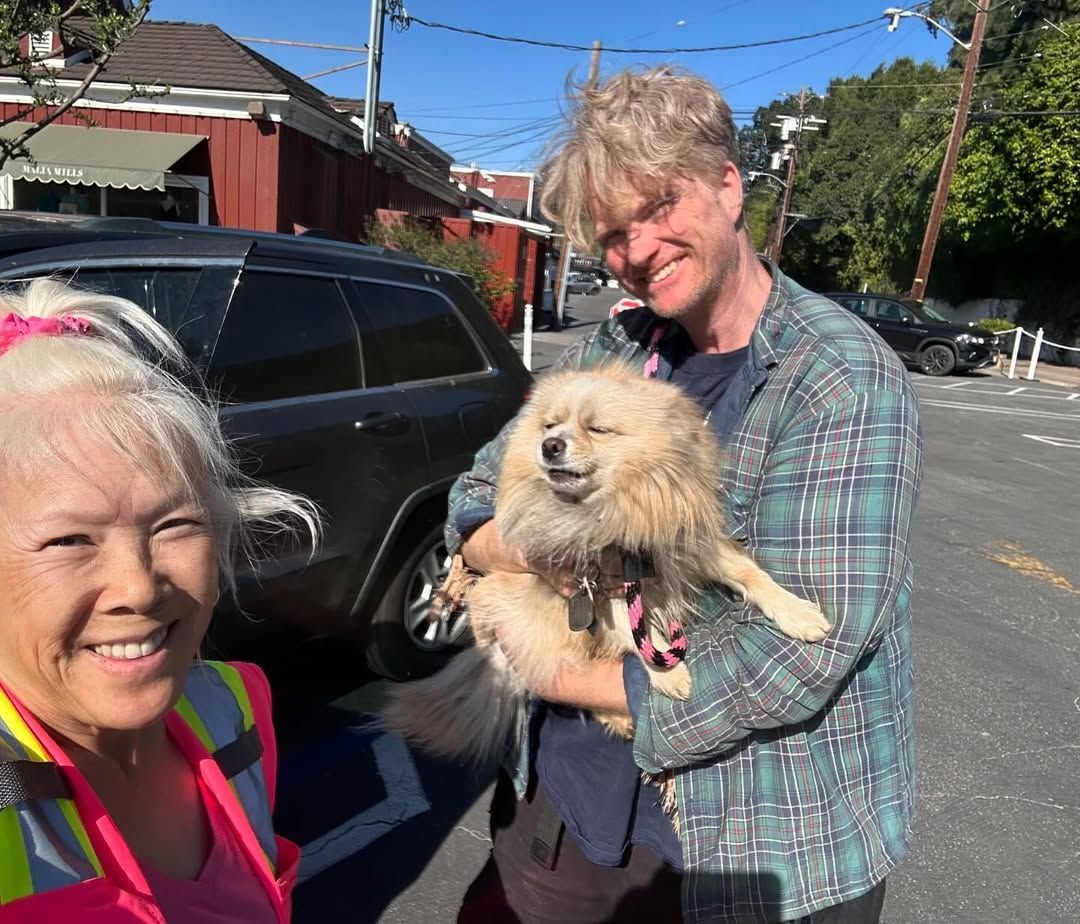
(134, 390)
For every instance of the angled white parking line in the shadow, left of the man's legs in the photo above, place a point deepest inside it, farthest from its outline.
(406, 798)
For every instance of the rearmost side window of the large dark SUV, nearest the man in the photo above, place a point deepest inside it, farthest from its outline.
(417, 335)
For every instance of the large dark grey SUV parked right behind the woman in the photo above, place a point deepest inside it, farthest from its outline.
(352, 374)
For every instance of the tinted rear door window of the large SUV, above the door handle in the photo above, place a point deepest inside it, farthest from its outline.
(286, 336)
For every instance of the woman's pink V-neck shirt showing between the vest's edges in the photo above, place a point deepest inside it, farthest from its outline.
(226, 892)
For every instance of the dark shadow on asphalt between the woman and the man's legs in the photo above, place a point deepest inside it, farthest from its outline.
(368, 811)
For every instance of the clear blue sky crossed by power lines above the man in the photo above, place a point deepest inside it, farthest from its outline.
(496, 103)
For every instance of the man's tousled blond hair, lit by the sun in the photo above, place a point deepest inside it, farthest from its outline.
(632, 137)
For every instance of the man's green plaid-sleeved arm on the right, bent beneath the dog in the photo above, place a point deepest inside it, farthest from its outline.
(831, 524)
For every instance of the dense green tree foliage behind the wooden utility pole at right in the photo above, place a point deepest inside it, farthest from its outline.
(1012, 225)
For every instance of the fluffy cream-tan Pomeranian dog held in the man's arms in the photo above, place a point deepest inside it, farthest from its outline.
(599, 461)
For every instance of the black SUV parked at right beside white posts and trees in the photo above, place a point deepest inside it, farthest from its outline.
(922, 337)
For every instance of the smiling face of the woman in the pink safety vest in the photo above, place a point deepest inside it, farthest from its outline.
(107, 582)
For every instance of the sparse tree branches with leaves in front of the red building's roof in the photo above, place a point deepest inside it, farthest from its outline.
(97, 26)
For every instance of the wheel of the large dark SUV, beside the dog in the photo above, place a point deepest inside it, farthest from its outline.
(403, 644)
